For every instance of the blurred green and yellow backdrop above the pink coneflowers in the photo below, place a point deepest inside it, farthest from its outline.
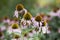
(7, 7)
